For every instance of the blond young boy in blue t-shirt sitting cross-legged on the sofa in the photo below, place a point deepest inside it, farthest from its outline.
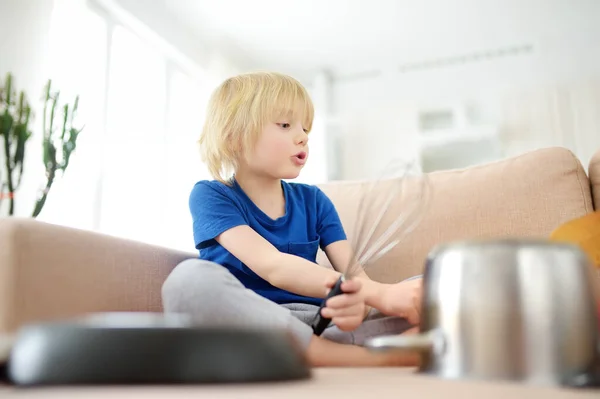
(258, 235)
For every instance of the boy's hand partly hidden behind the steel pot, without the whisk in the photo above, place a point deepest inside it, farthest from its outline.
(403, 300)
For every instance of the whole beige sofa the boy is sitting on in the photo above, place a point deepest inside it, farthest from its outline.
(48, 271)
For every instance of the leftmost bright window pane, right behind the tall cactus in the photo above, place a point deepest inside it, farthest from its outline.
(77, 67)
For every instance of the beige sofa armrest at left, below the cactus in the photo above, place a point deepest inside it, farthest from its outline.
(49, 271)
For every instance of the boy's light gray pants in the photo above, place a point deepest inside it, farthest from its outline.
(211, 295)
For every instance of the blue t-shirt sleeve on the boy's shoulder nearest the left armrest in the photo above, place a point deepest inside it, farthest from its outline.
(213, 213)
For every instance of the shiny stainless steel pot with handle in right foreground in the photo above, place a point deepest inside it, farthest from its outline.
(507, 310)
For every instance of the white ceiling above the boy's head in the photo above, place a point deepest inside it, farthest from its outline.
(350, 37)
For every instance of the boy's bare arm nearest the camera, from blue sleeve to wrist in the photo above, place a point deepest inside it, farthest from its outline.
(289, 272)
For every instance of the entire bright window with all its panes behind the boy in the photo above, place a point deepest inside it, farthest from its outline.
(137, 158)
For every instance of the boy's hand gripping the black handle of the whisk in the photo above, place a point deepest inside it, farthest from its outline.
(347, 310)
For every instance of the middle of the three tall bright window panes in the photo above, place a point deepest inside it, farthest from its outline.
(133, 147)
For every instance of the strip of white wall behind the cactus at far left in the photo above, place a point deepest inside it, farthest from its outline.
(24, 27)
